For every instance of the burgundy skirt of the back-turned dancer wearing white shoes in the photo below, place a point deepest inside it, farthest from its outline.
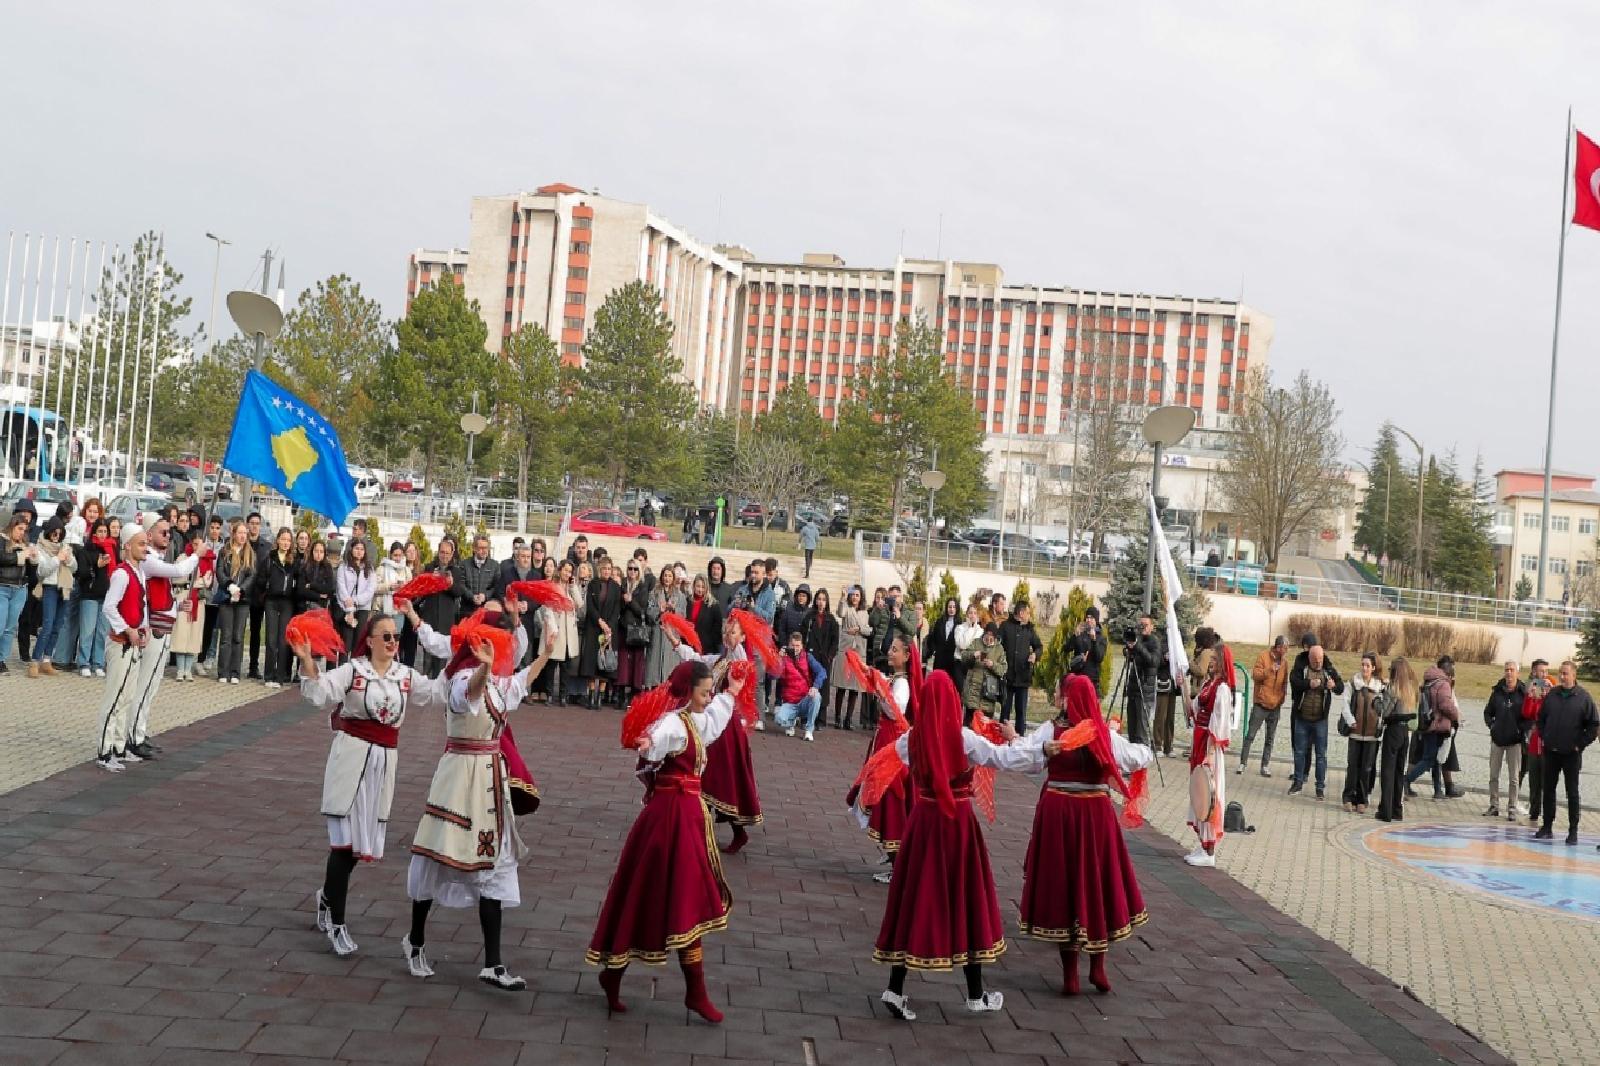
(943, 910)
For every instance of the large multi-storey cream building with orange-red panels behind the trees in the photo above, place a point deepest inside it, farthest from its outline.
(745, 329)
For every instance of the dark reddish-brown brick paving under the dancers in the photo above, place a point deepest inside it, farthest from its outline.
(161, 916)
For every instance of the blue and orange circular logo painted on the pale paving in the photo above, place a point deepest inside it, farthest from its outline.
(1502, 862)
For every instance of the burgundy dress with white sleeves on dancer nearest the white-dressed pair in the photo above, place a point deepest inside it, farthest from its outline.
(668, 891)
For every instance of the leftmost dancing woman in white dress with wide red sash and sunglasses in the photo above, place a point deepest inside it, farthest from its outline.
(370, 697)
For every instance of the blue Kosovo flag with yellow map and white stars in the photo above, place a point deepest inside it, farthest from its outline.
(282, 443)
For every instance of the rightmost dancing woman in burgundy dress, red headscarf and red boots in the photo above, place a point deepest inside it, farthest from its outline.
(1079, 889)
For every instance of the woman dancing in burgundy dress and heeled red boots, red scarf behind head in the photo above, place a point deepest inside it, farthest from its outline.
(668, 891)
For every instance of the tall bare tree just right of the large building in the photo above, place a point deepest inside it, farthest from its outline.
(1284, 473)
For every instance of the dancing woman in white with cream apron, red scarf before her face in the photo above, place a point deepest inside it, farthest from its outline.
(466, 848)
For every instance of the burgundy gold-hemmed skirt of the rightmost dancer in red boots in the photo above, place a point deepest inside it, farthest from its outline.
(1079, 889)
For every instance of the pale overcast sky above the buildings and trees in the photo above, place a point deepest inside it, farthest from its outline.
(1386, 183)
